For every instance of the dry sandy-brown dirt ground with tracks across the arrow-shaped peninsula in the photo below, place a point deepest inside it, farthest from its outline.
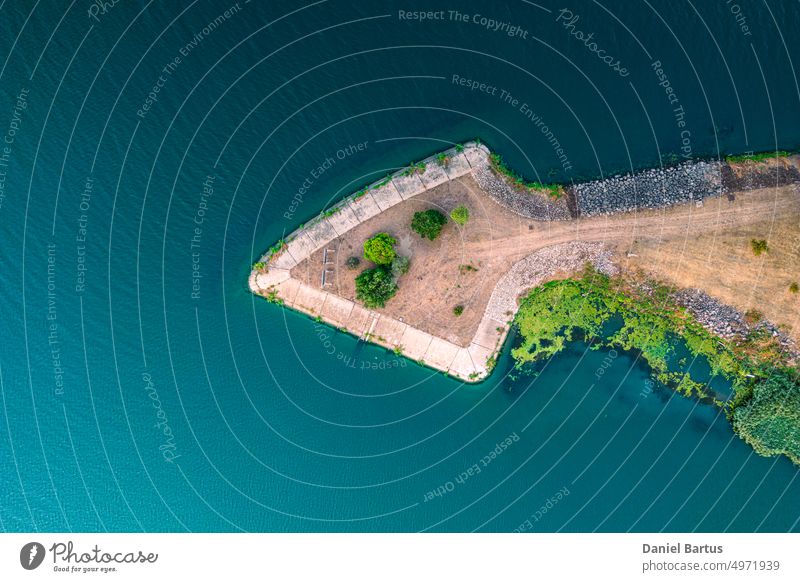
(691, 246)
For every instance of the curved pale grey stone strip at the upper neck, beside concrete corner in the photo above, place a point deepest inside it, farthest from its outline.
(521, 201)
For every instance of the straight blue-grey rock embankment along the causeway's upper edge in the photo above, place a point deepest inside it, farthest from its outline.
(656, 188)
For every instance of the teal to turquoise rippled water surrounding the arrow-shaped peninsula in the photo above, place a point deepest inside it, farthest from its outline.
(133, 400)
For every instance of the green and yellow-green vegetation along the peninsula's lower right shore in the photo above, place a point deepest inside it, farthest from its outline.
(765, 405)
